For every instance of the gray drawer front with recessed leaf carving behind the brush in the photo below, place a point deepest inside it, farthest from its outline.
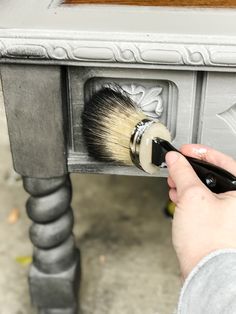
(166, 95)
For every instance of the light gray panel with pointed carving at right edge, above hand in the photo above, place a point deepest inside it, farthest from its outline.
(218, 115)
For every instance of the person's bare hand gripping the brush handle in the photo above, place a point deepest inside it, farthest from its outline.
(203, 221)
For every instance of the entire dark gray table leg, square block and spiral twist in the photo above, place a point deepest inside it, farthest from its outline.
(36, 107)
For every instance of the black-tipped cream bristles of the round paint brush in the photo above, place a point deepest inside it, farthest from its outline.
(109, 119)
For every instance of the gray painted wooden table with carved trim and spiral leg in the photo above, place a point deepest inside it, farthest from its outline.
(178, 64)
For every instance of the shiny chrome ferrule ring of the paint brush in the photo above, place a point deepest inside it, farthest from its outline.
(135, 140)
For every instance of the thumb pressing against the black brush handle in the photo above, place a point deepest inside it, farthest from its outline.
(181, 172)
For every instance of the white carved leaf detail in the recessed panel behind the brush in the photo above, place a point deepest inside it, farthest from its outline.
(148, 99)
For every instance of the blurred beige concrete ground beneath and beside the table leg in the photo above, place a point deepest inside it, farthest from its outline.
(129, 266)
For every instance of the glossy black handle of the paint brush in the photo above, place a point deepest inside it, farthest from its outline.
(217, 179)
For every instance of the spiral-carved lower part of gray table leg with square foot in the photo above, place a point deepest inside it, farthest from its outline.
(54, 274)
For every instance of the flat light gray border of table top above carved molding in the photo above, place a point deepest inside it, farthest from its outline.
(53, 14)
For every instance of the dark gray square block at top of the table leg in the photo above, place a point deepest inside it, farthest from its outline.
(33, 101)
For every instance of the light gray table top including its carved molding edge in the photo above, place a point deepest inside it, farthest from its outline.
(53, 30)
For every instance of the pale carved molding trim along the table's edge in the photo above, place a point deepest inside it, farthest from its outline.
(73, 46)
